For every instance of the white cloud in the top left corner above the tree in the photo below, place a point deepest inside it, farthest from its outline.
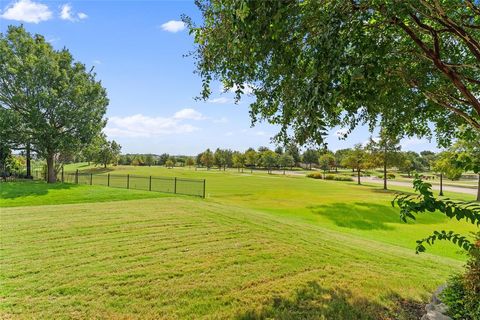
(27, 11)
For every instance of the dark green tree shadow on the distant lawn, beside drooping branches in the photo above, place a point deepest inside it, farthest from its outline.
(367, 216)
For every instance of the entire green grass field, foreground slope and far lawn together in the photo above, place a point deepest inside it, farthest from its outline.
(260, 246)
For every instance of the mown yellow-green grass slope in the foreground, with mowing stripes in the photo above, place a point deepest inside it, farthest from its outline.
(189, 258)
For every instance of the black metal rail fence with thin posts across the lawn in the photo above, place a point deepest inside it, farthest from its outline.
(190, 187)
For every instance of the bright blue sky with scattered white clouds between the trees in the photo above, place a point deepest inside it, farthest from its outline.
(137, 49)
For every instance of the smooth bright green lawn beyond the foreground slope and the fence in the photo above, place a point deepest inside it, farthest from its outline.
(362, 210)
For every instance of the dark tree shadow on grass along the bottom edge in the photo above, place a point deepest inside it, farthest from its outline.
(314, 302)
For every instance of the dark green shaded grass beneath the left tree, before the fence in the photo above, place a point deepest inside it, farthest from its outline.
(12, 190)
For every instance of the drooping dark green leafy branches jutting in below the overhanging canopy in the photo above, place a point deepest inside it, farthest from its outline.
(411, 204)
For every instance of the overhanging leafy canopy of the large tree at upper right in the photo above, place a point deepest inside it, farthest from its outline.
(317, 64)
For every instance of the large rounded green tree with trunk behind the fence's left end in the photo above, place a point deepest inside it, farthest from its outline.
(59, 103)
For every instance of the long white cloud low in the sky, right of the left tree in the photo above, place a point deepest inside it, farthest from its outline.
(139, 125)
